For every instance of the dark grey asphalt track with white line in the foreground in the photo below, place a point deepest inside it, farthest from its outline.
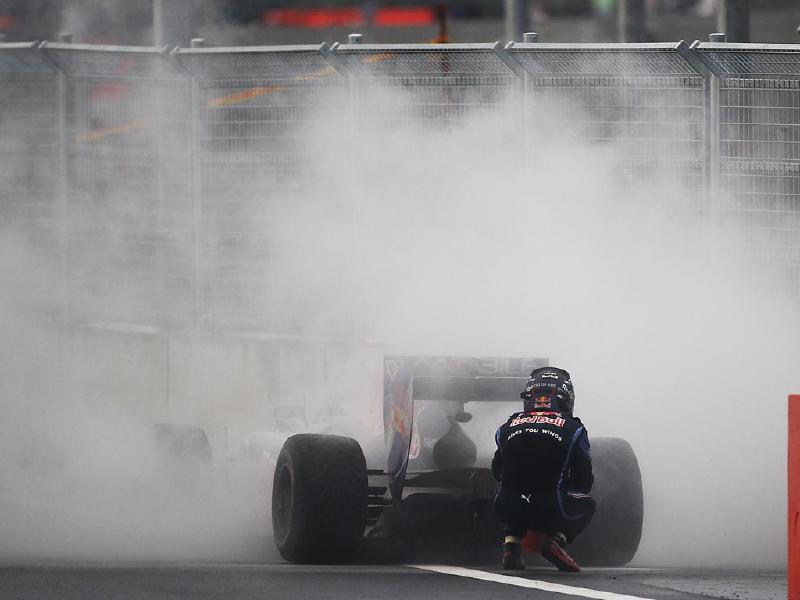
(393, 582)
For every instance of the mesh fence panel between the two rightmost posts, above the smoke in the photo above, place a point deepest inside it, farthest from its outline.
(648, 101)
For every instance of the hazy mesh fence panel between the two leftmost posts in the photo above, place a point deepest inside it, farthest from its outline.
(128, 225)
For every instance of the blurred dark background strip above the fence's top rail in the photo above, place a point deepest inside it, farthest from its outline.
(284, 22)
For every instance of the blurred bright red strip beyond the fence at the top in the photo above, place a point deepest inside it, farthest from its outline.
(314, 18)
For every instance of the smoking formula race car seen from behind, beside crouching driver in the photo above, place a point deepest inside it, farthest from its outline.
(437, 487)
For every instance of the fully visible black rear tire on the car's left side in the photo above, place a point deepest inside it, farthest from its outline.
(319, 499)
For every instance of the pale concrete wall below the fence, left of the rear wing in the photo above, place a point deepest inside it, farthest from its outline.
(229, 386)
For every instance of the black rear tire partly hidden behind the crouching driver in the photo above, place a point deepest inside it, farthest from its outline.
(612, 537)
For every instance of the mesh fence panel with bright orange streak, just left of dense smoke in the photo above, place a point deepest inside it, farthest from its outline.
(254, 109)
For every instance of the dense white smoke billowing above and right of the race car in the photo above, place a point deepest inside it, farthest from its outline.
(675, 341)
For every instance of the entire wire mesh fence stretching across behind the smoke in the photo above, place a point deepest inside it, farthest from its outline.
(164, 181)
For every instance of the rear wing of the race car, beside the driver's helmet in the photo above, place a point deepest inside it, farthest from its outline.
(444, 378)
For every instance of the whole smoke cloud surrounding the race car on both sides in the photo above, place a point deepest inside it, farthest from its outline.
(440, 240)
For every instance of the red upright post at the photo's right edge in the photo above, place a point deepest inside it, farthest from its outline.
(793, 504)
